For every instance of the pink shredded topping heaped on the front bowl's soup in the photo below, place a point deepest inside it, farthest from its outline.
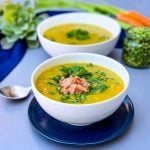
(73, 85)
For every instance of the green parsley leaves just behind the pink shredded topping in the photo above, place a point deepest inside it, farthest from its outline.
(76, 71)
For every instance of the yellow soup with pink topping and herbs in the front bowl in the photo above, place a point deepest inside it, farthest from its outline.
(79, 83)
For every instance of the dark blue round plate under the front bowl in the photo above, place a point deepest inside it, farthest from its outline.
(97, 133)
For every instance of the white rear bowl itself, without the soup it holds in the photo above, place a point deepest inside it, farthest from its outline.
(54, 48)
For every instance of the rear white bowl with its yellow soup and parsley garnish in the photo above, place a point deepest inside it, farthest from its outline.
(78, 32)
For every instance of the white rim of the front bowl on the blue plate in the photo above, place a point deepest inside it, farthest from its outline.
(79, 105)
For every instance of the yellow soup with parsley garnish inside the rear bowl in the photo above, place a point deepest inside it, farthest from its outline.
(77, 34)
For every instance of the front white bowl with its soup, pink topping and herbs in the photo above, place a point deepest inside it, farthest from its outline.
(81, 88)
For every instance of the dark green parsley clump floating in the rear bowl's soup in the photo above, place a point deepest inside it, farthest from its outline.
(78, 34)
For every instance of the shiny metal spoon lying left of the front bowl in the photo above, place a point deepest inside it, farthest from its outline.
(15, 92)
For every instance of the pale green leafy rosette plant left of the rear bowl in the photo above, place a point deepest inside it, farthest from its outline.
(19, 21)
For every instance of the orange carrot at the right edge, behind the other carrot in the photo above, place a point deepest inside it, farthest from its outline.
(139, 17)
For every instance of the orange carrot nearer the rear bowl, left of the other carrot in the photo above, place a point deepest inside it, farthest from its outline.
(124, 17)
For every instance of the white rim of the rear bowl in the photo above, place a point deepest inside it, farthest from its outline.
(79, 45)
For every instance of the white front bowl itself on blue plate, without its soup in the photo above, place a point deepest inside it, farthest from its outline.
(81, 114)
